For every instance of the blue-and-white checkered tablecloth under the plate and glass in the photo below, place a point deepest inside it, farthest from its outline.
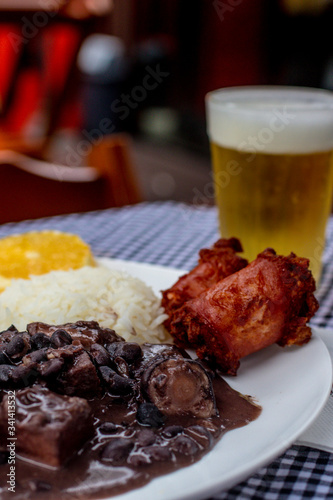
(171, 234)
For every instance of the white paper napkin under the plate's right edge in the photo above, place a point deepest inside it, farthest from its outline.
(320, 434)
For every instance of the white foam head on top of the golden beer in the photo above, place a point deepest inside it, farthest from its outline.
(271, 119)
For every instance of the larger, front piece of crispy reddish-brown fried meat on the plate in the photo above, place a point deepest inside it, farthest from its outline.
(271, 300)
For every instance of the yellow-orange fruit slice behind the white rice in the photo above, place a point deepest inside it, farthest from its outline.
(39, 252)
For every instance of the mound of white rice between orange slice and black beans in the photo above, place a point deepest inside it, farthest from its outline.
(113, 298)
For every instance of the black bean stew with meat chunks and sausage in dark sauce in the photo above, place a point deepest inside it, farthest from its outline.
(96, 416)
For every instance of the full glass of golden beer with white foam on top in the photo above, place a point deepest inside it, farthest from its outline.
(273, 167)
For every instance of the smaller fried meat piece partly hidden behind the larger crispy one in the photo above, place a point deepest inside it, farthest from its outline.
(214, 264)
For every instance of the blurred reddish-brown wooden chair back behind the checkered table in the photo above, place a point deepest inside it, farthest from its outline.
(31, 188)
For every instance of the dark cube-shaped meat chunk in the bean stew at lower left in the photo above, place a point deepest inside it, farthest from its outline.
(49, 427)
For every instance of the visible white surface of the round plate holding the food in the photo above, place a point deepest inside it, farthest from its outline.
(292, 385)
